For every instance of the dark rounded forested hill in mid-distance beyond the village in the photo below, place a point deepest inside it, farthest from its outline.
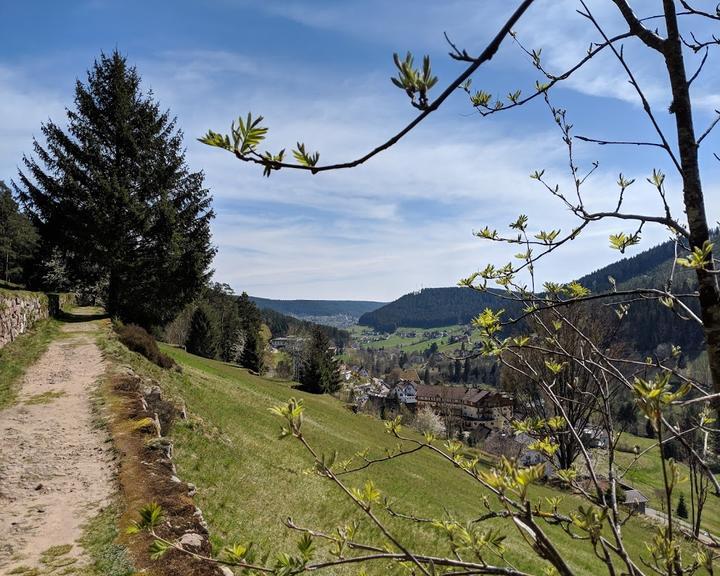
(430, 308)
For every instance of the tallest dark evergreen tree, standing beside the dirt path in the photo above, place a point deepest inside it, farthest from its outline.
(114, 196)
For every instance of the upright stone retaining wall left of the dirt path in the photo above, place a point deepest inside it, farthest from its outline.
(19, 310)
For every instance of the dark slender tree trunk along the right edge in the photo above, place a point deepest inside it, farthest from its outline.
(692, 190)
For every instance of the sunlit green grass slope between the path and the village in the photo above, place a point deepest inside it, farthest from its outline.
(249, 480)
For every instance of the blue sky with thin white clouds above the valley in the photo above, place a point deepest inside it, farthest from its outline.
(319, 72)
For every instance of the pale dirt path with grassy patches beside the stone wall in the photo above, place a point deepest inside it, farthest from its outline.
(55, 463)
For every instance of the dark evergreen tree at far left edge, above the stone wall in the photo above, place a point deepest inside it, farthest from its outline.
(18, 238)
